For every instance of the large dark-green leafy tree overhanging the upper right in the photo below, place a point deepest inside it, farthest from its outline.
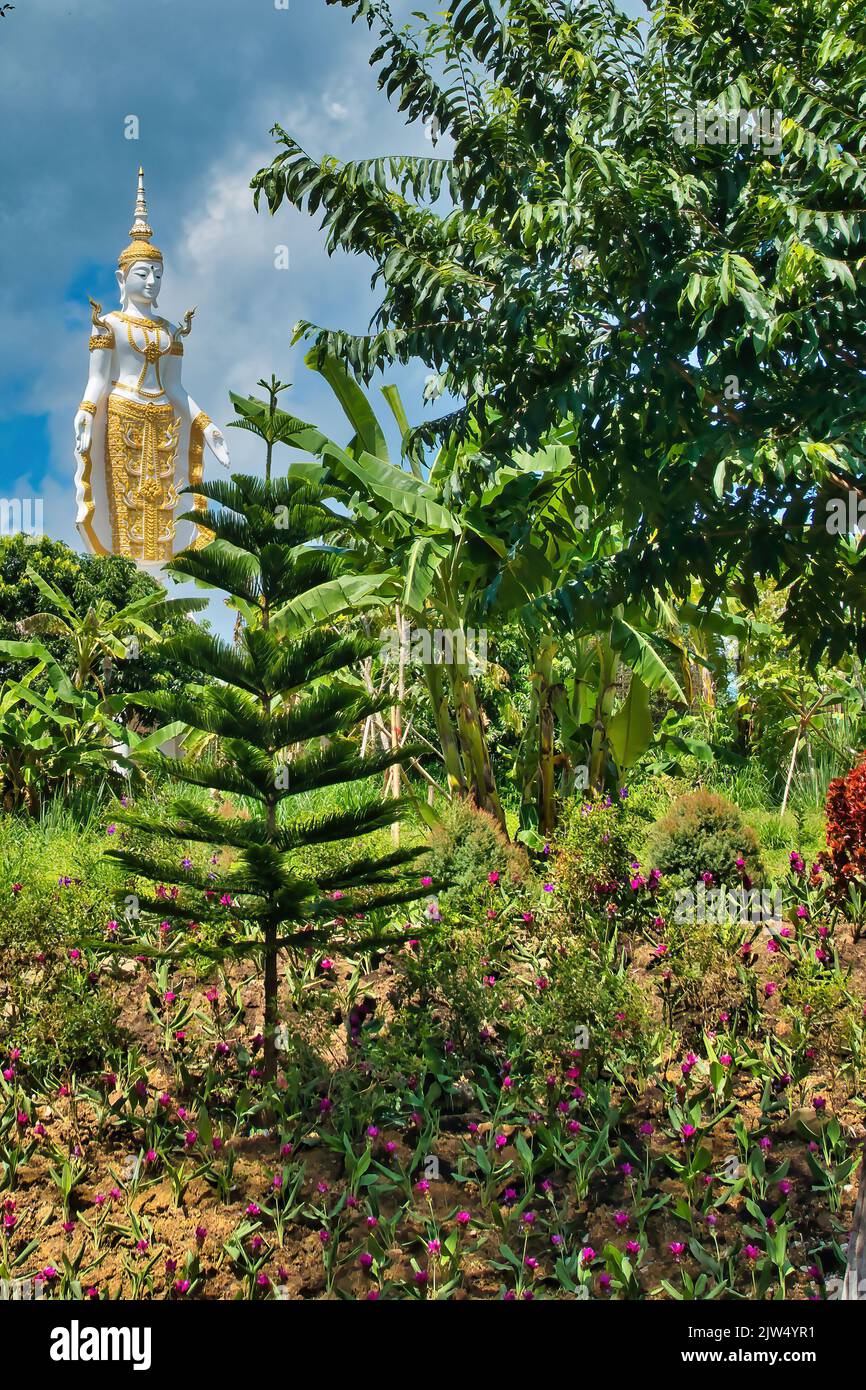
(696, 308)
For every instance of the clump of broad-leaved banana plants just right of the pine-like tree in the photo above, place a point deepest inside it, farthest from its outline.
(459, 553)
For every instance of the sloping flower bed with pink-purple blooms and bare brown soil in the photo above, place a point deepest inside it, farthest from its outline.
(557, 1085)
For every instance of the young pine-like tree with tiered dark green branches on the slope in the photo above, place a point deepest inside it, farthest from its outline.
(280, 710)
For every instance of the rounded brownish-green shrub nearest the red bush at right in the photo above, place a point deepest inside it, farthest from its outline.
(704, 833)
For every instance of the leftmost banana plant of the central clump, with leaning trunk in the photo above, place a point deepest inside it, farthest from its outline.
(419, 544)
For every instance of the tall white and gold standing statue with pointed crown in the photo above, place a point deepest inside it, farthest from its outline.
(140, 436)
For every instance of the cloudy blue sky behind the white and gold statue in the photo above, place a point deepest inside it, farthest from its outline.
(206, 81)
